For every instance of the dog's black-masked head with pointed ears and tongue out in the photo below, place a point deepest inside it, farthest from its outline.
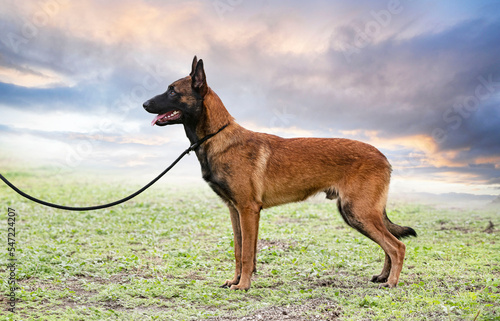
(182, 103)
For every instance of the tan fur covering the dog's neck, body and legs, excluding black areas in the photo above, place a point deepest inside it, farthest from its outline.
(270, 170)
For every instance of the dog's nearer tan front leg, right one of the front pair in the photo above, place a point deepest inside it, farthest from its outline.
(249, 222)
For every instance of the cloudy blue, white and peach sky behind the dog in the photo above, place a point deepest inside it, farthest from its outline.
(420, 80)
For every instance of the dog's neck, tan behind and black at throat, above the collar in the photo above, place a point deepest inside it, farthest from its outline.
(214, 117)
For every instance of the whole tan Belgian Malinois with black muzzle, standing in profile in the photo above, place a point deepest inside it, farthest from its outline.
(252, 171)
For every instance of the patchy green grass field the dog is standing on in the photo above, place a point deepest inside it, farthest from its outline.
(163, 256)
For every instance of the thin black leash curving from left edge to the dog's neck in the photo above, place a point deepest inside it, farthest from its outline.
(98, 207)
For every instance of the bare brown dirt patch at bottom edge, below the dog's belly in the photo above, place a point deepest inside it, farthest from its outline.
(316, 309)
